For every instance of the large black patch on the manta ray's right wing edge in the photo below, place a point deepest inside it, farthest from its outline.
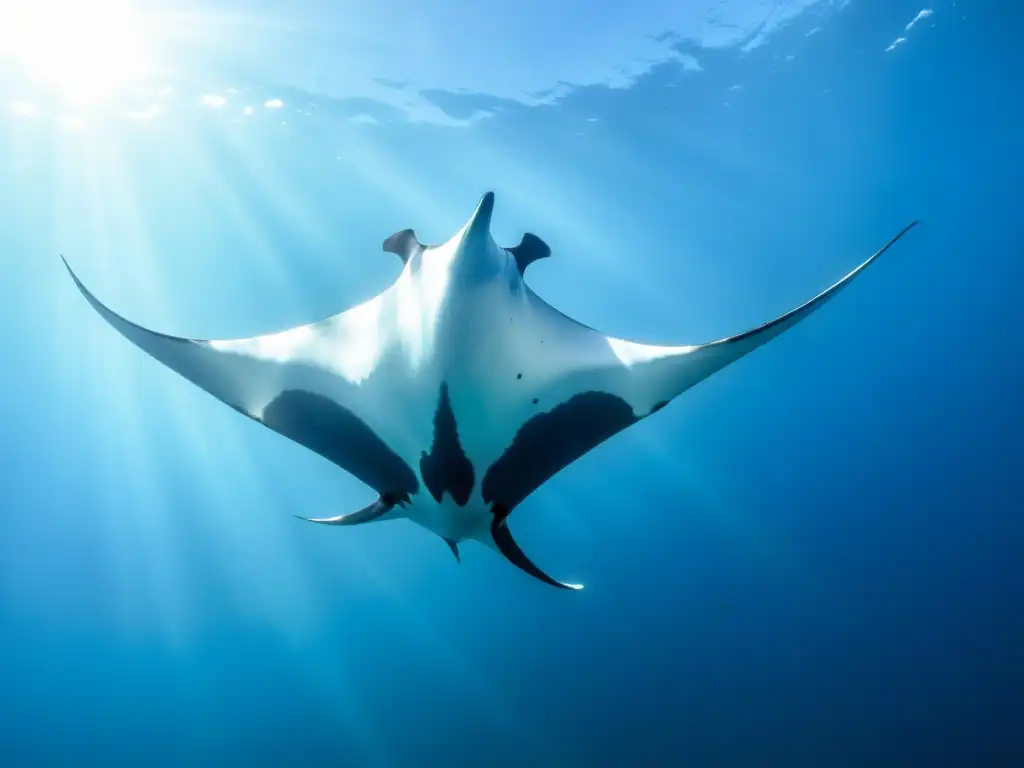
(550, 442)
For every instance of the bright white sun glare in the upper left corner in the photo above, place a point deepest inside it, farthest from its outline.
(86, 51)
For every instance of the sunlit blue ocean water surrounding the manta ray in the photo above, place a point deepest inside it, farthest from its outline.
(813, 559)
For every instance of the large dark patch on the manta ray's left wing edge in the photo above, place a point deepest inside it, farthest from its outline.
(340, 437)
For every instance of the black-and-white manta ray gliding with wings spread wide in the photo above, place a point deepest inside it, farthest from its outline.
(458, 392)
